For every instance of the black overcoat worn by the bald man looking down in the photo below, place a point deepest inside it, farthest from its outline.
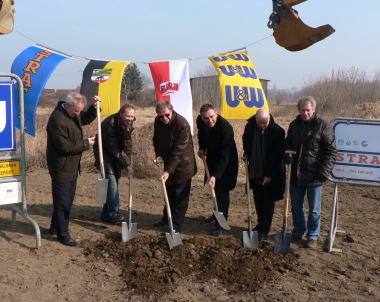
(274, 151)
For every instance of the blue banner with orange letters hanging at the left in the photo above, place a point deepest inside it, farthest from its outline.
(34, 66)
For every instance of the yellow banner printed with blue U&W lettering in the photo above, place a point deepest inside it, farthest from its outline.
(241, 92)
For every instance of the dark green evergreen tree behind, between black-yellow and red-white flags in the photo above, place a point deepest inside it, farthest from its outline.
(132, 83)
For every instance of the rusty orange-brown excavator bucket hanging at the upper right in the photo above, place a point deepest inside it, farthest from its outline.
(294, 35)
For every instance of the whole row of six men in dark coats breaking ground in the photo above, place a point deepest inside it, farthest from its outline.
(264, 143)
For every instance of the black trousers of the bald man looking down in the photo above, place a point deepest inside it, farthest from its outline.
(264, 208)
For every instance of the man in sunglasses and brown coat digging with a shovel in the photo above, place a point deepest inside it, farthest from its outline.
(173, 145)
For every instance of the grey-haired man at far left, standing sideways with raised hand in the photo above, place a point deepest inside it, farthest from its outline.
(65, 145)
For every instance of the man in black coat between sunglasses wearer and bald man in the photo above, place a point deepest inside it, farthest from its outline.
(216, 141)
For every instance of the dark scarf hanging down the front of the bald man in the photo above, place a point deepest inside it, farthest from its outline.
(257, 158)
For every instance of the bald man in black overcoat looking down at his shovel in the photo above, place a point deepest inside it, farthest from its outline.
(263, 144)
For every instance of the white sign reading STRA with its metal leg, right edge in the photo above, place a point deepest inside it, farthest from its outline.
(358, 160)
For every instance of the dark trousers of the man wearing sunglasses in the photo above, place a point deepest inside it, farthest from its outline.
(178, 195)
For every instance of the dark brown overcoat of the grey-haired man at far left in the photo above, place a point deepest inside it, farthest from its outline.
(65, 142)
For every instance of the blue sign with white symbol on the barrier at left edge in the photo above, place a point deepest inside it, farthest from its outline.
(7, 128)
